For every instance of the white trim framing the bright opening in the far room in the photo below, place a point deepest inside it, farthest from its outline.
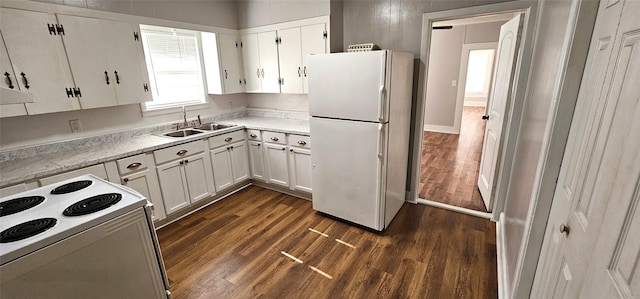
(462, 78)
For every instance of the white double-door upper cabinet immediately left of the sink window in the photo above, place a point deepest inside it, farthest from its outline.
(106, 61)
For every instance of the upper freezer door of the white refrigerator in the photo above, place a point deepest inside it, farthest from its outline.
(348, 85)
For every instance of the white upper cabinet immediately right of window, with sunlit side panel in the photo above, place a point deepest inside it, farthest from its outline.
(223, 68)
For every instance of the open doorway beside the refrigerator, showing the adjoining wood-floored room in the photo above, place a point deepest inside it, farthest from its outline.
(458, 89)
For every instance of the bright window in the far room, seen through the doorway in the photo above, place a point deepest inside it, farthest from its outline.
(479, 72)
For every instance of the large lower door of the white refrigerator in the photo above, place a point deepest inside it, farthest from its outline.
(347, 177)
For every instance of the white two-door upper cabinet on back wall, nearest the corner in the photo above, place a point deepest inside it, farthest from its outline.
(260, 60)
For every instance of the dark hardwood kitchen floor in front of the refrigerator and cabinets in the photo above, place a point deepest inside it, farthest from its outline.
(246, 246)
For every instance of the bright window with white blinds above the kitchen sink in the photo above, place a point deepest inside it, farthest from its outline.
(174, 67)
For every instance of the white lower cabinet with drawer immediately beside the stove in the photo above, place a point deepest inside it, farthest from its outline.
(137, 172)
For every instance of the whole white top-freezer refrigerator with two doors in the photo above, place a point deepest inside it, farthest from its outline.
(360, 107)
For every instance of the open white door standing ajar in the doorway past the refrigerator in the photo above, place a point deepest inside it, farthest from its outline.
(501, 93)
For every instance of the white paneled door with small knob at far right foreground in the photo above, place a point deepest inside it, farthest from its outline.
(590, 247)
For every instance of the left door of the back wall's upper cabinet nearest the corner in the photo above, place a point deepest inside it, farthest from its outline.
(251, 62)
